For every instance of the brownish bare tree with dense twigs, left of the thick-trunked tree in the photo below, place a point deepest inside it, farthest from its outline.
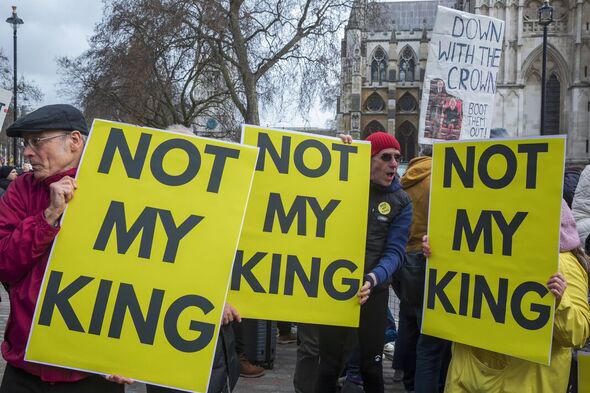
(144, 66)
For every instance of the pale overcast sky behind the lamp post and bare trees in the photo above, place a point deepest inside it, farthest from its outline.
(55, 28)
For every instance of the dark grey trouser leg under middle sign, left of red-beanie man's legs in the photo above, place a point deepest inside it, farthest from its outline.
(308, 358)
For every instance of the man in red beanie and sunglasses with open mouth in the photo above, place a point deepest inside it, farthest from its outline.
(389, 219)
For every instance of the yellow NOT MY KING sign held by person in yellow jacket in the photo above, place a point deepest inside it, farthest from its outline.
(494, 221)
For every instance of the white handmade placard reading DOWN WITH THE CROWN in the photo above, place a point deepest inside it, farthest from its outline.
(460, 79)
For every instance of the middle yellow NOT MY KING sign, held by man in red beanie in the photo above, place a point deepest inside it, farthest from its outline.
(302, 249)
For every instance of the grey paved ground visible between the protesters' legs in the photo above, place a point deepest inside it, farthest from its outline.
(277, 380)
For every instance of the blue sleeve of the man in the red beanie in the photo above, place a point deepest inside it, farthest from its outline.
(395, 248)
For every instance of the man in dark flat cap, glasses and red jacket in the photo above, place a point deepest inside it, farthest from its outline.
(54, 138)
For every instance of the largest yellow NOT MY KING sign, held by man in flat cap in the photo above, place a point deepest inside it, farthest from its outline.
(138, 275)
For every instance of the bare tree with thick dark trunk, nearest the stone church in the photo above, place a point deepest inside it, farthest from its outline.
(266, 48)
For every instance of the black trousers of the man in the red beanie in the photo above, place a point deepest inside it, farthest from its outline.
(373, 320)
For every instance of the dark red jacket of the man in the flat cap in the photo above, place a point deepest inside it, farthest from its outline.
(25, 242)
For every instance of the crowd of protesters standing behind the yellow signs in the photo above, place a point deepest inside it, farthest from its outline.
(329, 358)
